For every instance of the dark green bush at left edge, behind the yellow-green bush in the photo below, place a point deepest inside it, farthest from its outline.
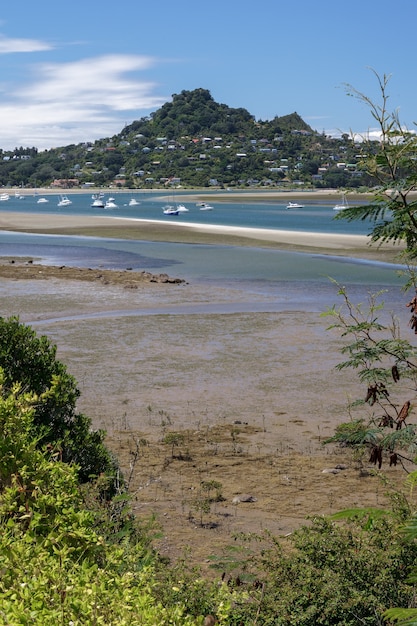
(31, 361)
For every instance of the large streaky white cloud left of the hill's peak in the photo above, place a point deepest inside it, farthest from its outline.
(76, 101)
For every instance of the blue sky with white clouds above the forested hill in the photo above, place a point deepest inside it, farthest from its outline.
(81, 70)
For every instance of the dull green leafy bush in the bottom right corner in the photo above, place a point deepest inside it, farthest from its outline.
(333, 573)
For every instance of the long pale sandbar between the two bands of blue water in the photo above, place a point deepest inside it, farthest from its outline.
(181, 232)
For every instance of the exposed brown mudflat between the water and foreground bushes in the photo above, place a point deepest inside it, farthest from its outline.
(252, 396)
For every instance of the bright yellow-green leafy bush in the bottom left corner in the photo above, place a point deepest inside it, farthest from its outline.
(56, 567)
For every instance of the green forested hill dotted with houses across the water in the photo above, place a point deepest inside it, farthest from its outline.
(193, 141)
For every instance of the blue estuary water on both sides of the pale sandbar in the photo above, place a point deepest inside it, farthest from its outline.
(259, 270)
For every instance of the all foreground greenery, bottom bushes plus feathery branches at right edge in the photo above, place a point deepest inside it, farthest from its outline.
(72, 552)
